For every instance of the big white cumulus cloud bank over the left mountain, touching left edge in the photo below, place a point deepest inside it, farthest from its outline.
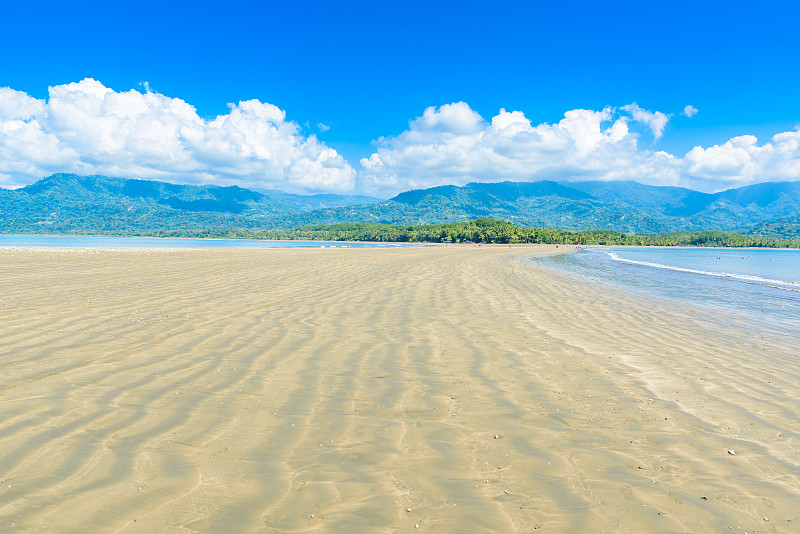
(87, 128)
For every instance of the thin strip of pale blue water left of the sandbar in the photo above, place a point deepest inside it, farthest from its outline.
(153, 242)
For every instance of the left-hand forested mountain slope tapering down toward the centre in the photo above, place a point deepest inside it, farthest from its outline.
(67, 203)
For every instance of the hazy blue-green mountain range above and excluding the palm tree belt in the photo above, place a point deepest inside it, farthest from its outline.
(67, 203)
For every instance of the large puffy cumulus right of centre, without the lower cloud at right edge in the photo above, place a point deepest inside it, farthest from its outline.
(454, 144)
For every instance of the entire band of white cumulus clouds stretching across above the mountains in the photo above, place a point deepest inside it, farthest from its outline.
(88, 128)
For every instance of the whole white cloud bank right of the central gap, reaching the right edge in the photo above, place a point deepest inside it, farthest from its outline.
(453, 144)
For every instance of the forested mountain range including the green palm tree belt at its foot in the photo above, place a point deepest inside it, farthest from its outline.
(586, 212)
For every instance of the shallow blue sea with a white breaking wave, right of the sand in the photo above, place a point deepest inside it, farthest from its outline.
(754, 287)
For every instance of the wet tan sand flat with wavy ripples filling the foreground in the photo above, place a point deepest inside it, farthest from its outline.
(441, 389)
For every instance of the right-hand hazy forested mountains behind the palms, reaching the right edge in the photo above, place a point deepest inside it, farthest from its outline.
(620, 206)
